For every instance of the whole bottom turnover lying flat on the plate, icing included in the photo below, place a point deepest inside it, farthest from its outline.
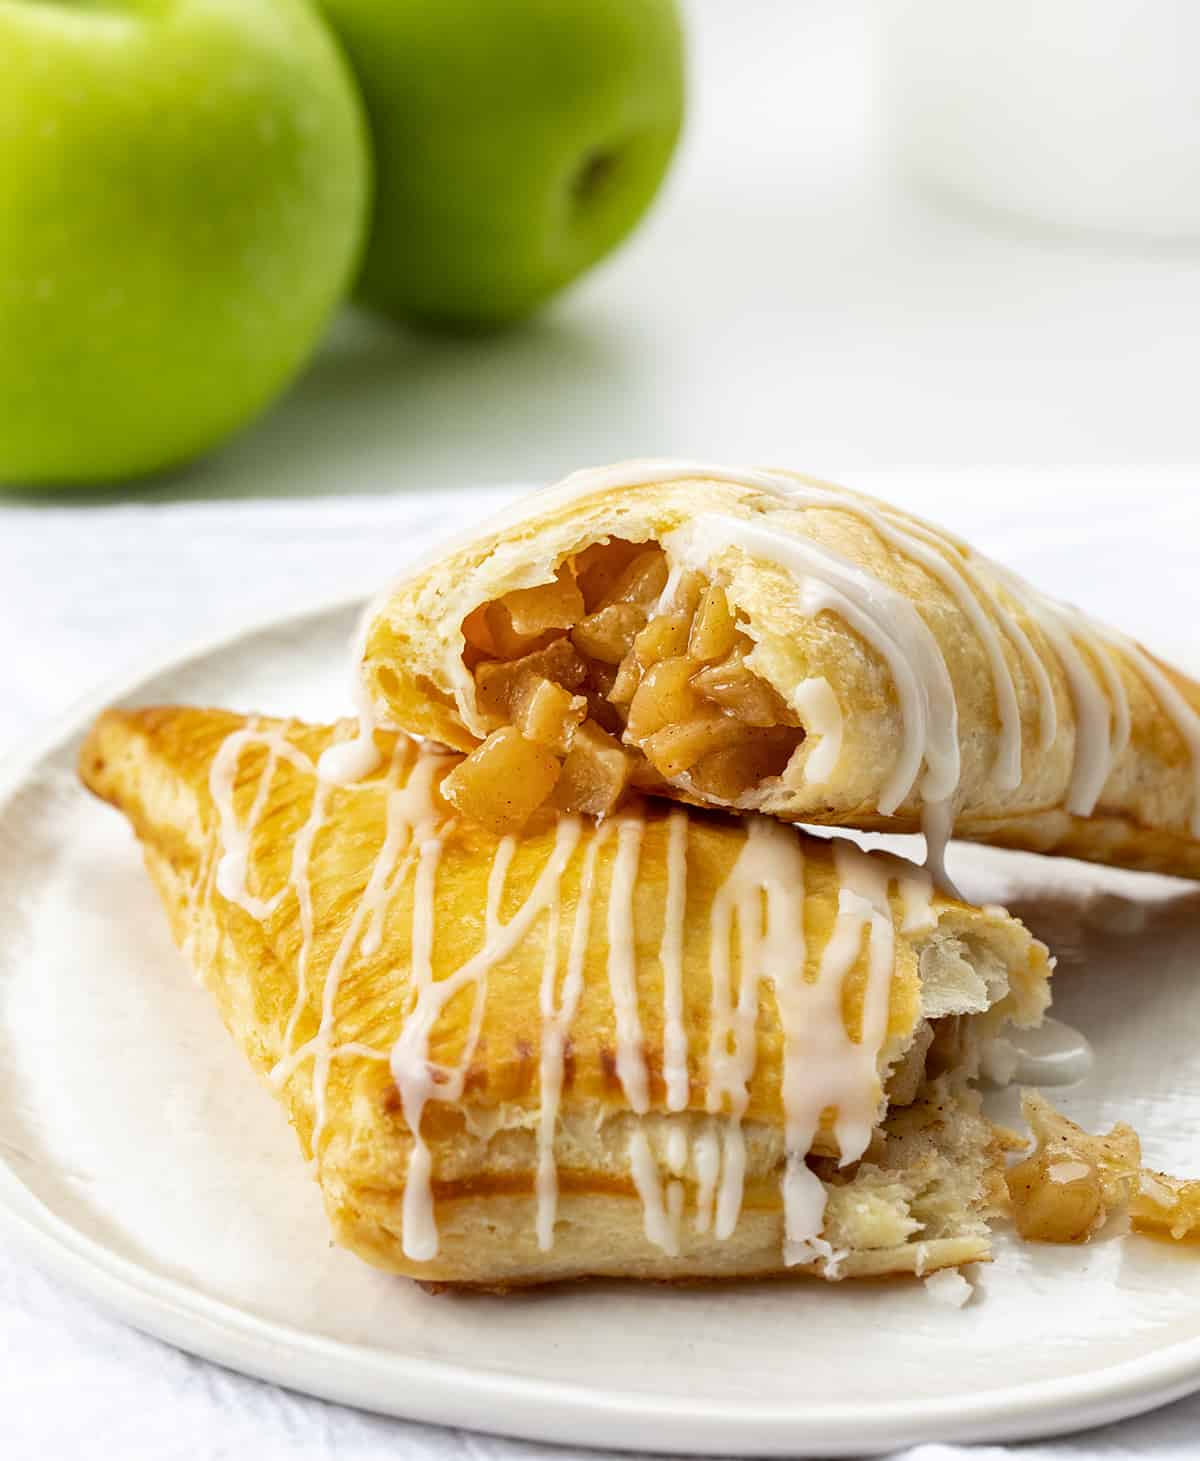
(379, 964)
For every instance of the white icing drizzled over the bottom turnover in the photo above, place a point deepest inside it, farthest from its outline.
(756, 937)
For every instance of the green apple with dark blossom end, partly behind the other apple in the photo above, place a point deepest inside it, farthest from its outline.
(517, 144)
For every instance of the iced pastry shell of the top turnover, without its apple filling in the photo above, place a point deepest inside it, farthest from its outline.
(919, 671)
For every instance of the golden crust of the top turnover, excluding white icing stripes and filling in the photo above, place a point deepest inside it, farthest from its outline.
(1144, 817)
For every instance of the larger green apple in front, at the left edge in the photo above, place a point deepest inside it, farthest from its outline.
(183, 199)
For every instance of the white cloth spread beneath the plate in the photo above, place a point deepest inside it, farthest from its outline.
(87, 592)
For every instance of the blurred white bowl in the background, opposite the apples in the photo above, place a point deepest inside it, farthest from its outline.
(1081, 113)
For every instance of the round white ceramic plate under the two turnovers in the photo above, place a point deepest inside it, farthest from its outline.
(141, 1161)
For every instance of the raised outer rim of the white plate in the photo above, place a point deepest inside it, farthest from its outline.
(501, 1402)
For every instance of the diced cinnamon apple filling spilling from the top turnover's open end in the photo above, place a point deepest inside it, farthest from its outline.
(618, 676)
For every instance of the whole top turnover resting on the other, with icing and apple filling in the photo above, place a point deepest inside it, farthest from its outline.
(756, 641)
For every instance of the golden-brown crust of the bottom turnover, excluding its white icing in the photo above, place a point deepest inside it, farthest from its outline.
(916, 1202)
